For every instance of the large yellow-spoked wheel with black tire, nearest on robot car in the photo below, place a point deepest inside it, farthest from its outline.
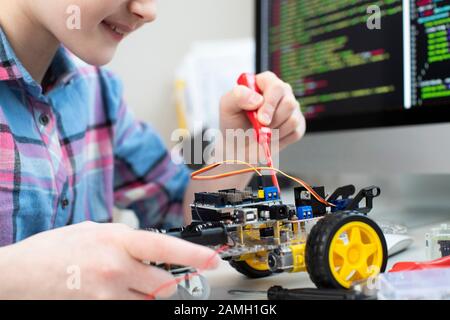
(343, 248)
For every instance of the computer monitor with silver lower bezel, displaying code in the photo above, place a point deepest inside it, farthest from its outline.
(373, 79)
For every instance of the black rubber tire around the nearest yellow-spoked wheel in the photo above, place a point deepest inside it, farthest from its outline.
(318, 245)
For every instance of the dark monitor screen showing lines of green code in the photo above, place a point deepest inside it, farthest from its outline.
(357, 63)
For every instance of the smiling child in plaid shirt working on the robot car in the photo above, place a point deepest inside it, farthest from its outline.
(70, 149)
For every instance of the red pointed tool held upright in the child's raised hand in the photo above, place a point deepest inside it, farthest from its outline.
(263, 133)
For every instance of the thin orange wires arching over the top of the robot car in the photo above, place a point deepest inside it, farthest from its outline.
(195, 176)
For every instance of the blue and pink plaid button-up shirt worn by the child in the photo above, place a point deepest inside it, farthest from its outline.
(71, 153)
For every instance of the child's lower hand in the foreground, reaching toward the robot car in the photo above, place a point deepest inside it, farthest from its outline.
(104, 260)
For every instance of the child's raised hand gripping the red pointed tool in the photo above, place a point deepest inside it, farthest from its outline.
(277, 108)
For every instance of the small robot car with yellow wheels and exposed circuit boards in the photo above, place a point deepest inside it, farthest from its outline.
(333, 239)
